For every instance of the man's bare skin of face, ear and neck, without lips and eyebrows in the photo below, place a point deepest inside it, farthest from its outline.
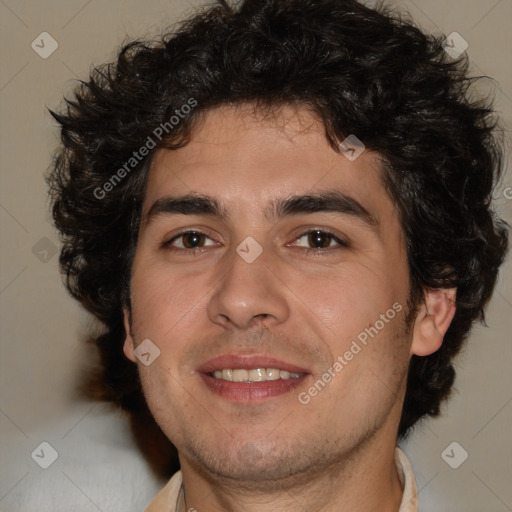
(304, 307)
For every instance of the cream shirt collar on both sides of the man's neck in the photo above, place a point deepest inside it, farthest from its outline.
(171, 497)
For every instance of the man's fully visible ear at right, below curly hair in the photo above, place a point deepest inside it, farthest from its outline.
(432, 321)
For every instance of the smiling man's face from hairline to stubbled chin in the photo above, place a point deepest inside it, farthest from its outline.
(291, 259)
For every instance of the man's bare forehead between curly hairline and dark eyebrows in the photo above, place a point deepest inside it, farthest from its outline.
(248, 159)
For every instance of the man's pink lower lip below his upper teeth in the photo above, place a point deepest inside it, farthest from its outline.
(250, 392)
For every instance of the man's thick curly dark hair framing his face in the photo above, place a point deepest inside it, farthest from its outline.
(365, 71)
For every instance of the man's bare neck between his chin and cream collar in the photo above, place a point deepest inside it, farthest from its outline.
(365, 480)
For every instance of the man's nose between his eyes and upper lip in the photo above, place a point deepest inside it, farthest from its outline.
(248, 294)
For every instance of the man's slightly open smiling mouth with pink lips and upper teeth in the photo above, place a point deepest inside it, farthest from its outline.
(250, 378)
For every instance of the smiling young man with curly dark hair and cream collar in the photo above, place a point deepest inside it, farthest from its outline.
(281, 213)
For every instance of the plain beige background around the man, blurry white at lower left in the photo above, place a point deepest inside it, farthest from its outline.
(98, 467)
